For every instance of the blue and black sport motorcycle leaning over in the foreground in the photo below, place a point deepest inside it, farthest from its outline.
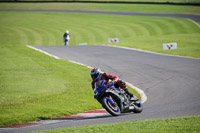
(114, 100)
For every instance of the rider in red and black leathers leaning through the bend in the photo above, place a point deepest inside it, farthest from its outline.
(96, 75)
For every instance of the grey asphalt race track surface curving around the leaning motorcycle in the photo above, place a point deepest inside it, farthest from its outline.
(171, 83)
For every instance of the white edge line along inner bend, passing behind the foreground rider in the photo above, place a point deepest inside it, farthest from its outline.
(141, 92)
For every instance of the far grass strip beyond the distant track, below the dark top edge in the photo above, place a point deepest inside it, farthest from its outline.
(105, 7)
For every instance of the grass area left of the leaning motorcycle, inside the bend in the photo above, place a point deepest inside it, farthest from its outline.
(34, 86)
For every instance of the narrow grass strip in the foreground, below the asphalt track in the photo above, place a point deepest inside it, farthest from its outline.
(172, 125)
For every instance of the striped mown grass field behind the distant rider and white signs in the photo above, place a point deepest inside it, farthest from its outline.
(147, 33)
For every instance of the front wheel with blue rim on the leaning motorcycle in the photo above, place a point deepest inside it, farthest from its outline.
(110, 107)
